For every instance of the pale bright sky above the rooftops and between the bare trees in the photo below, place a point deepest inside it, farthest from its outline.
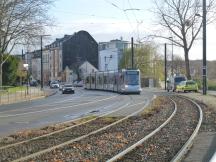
(111, 19)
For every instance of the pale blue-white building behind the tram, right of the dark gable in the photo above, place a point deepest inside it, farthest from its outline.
(110, 54)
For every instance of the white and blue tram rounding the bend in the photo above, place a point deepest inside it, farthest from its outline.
(123, 81)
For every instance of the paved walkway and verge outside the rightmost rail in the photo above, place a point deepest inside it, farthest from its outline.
(204, 146)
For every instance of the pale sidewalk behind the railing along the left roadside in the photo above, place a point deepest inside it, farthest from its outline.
(25, 95)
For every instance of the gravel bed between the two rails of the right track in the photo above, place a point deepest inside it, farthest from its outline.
(165, 144)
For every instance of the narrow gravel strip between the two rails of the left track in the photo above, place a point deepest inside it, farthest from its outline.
(32, 146)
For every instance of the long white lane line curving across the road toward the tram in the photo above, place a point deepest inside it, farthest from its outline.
(52, 109)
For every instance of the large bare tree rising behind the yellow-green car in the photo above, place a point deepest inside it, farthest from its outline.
(183, 20)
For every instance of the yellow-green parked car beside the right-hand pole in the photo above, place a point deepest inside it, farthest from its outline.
(187, 86)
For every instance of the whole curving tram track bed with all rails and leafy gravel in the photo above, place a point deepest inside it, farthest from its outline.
(142, 137)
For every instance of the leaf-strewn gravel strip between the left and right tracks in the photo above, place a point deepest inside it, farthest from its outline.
(105, 144)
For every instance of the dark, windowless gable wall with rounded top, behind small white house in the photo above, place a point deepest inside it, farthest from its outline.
(80, 47)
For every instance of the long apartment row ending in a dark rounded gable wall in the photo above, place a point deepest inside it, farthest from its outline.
(69, 51)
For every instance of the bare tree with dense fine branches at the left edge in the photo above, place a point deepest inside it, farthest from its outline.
(20, 22)
